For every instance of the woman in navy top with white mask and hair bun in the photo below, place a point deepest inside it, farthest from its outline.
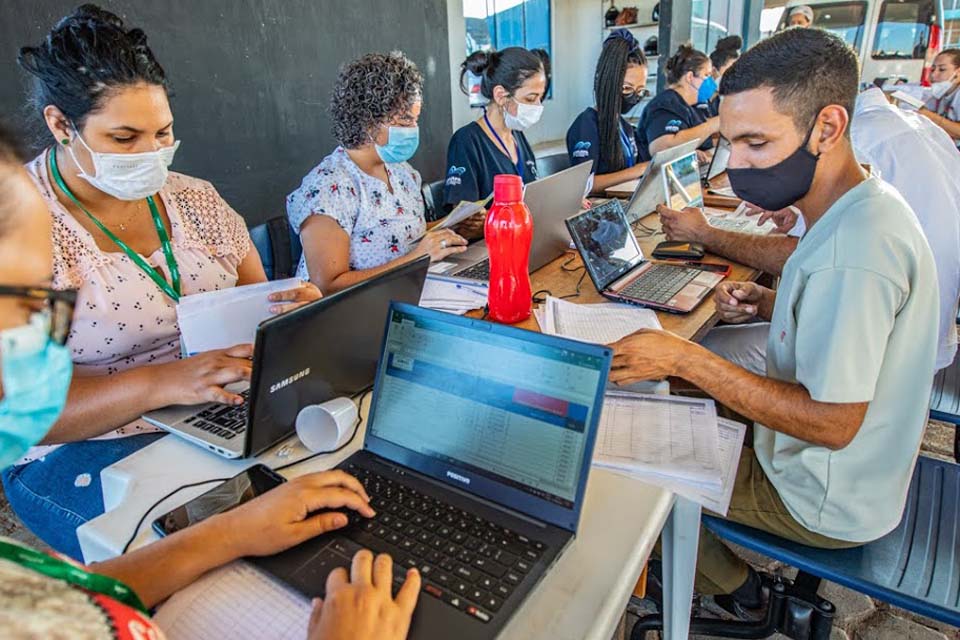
(514, 81)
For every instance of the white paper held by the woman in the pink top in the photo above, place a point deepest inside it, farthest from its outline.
(228, 317)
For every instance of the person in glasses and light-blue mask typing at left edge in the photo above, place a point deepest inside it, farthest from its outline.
(45, 596)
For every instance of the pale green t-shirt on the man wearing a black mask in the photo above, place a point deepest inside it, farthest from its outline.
(852, 324)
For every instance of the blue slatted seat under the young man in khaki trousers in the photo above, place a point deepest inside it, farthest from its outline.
(915, 567)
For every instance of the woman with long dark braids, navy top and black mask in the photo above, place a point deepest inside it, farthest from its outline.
(601, 133)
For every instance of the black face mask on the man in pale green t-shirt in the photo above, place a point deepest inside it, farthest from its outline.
(779, 186)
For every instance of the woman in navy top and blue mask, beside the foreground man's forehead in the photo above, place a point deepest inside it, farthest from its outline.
(672, 117)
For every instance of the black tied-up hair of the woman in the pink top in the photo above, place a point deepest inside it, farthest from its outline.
(85, 57)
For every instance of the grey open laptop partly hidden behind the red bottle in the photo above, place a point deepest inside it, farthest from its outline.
(551, 200)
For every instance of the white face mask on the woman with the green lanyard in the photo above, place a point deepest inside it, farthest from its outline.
(127, 176)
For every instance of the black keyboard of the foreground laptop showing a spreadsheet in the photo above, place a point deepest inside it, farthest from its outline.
(469, 563)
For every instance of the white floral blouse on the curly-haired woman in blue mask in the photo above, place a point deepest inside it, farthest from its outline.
(381, 225)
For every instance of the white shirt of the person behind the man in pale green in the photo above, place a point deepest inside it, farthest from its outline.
(917, 158)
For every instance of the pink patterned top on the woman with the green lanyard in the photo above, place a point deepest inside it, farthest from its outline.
(122, 320)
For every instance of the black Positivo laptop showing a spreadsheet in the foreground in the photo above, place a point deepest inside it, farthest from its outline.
(476, 456)
